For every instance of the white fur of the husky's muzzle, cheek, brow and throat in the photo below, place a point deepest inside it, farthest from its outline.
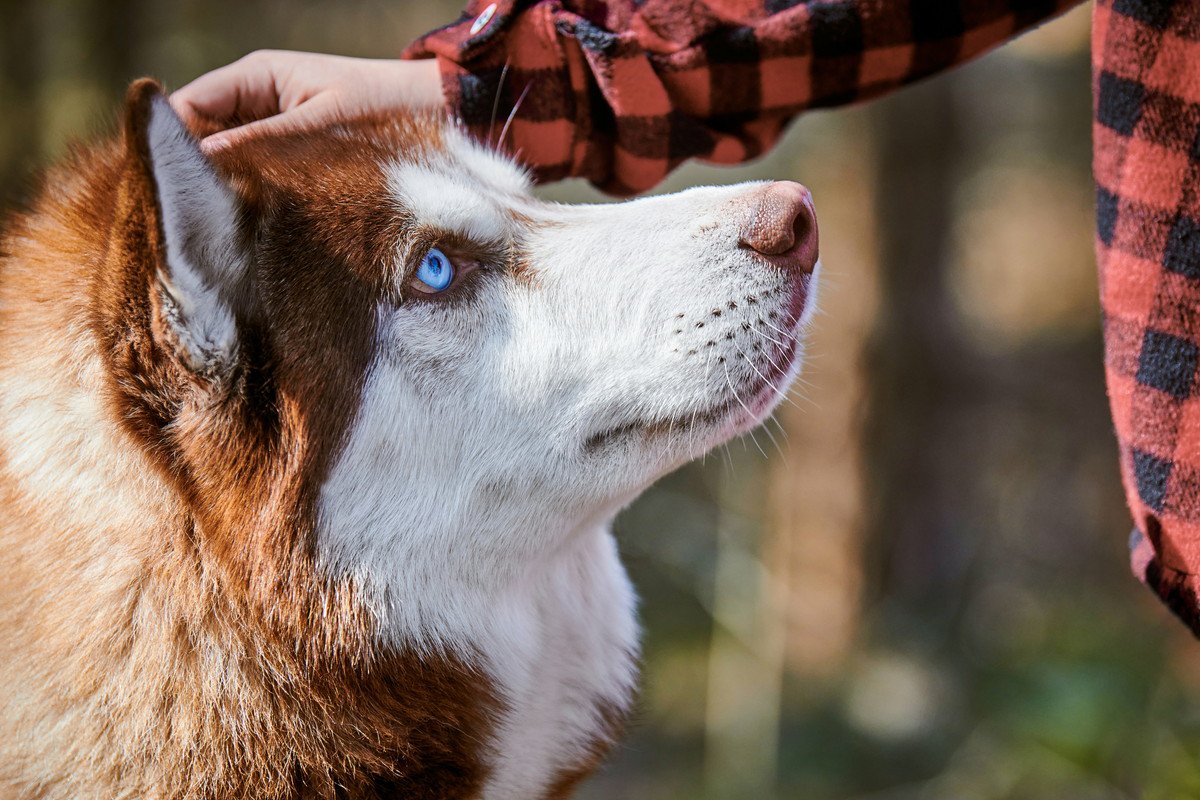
(467, 502)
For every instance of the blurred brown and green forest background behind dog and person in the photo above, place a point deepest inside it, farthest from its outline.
(914, 584)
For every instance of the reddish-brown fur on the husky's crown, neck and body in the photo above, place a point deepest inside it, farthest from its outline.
(220, 664)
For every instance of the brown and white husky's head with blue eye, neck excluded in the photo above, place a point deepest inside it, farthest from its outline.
(380, 335)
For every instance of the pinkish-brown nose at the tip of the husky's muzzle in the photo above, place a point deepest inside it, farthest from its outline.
(783, 226)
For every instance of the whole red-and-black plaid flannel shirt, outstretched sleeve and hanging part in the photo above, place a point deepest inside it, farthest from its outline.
(622, 92)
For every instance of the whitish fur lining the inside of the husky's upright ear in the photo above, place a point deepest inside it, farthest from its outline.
(201, 224)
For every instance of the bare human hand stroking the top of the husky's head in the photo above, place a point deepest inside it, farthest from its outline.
(280, 92)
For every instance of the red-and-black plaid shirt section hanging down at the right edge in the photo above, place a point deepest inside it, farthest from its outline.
(1147, 139)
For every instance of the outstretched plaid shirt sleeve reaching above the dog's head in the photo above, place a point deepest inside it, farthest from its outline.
(623, 92)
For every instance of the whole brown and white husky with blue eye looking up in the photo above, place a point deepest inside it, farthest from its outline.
(310, 450)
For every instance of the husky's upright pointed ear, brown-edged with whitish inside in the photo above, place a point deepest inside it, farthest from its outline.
(200, 258)
